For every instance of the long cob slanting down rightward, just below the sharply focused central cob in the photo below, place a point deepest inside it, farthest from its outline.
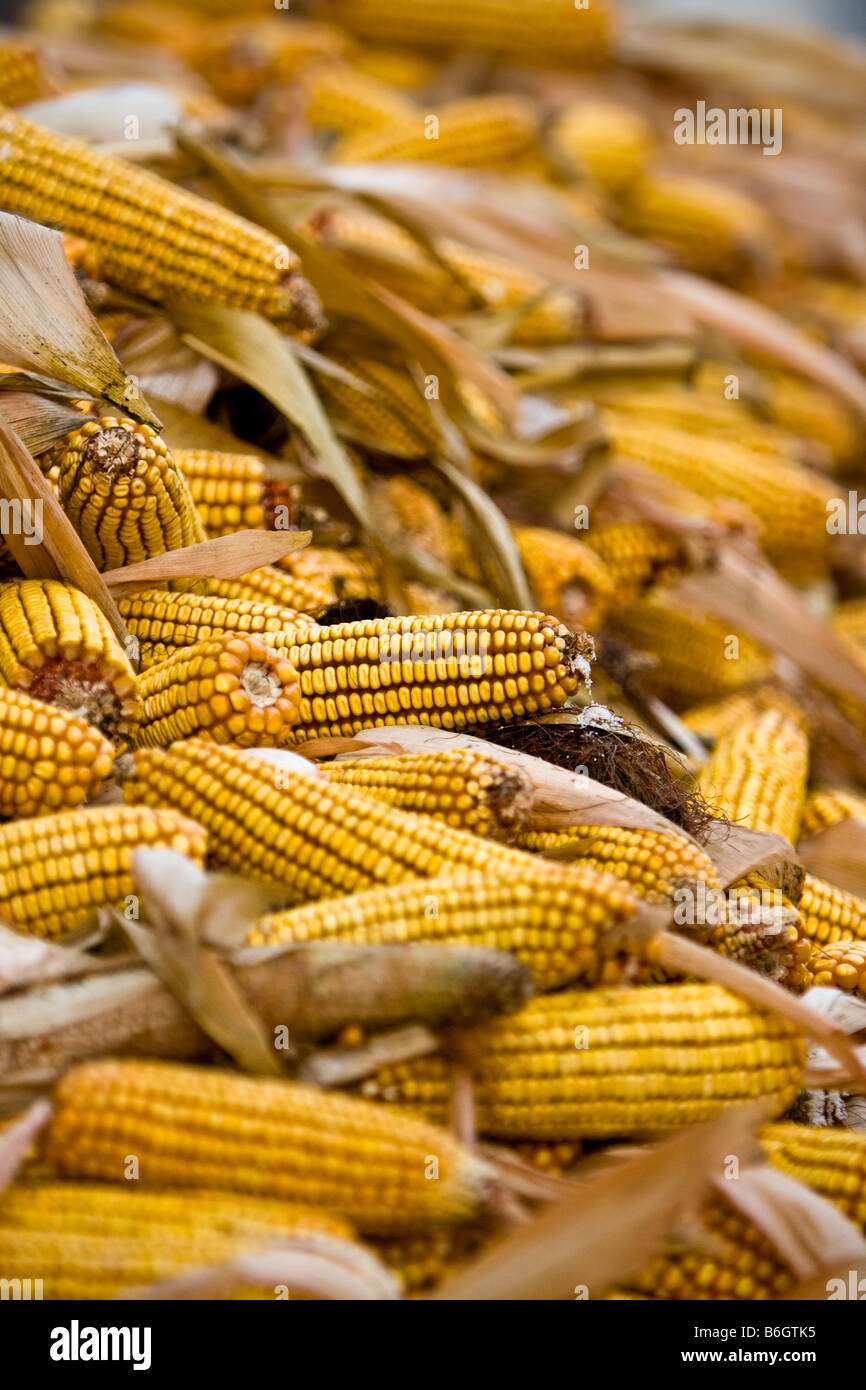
(315, 840)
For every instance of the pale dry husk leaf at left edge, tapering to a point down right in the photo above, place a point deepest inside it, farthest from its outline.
(45, 325)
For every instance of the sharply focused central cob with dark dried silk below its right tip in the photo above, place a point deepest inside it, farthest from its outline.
(451, 671)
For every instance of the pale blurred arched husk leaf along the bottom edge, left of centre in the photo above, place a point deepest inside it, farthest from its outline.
(316, 1267)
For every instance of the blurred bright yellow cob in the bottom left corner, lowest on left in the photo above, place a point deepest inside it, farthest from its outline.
(97, 1242)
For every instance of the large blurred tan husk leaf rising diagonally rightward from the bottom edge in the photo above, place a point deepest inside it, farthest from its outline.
(611, 1227)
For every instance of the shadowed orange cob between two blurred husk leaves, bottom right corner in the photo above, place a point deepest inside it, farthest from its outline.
(737, 1261)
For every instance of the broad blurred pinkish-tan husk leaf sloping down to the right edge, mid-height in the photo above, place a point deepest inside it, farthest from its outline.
(743, 589)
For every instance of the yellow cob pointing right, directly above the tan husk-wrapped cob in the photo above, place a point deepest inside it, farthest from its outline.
(553, 918)
